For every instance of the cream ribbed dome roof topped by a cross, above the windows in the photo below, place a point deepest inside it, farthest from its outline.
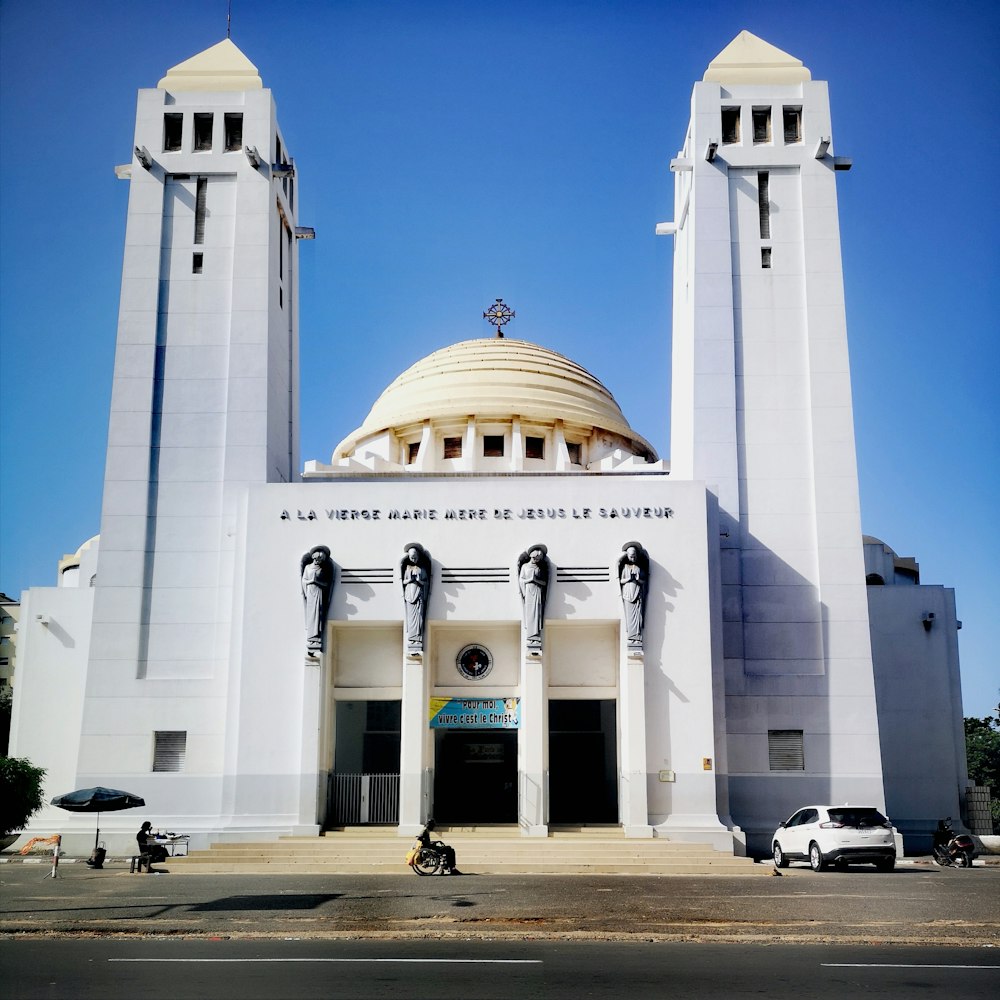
(495, 378)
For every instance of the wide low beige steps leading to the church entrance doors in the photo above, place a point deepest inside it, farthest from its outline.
(480, 850)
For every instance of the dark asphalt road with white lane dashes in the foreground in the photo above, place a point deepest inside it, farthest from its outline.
(463, 970)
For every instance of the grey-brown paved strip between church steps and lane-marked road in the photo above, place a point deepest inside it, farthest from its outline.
(912, 905)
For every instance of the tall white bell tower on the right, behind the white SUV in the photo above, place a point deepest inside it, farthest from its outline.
(761, 412)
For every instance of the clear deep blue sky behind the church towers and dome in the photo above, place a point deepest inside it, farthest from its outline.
(453, 152)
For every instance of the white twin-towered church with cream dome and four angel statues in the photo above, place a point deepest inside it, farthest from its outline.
(699, 687)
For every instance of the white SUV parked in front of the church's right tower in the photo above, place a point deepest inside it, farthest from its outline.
(835, 834)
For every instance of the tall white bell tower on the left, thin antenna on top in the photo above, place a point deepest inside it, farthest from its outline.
(205, 391)
